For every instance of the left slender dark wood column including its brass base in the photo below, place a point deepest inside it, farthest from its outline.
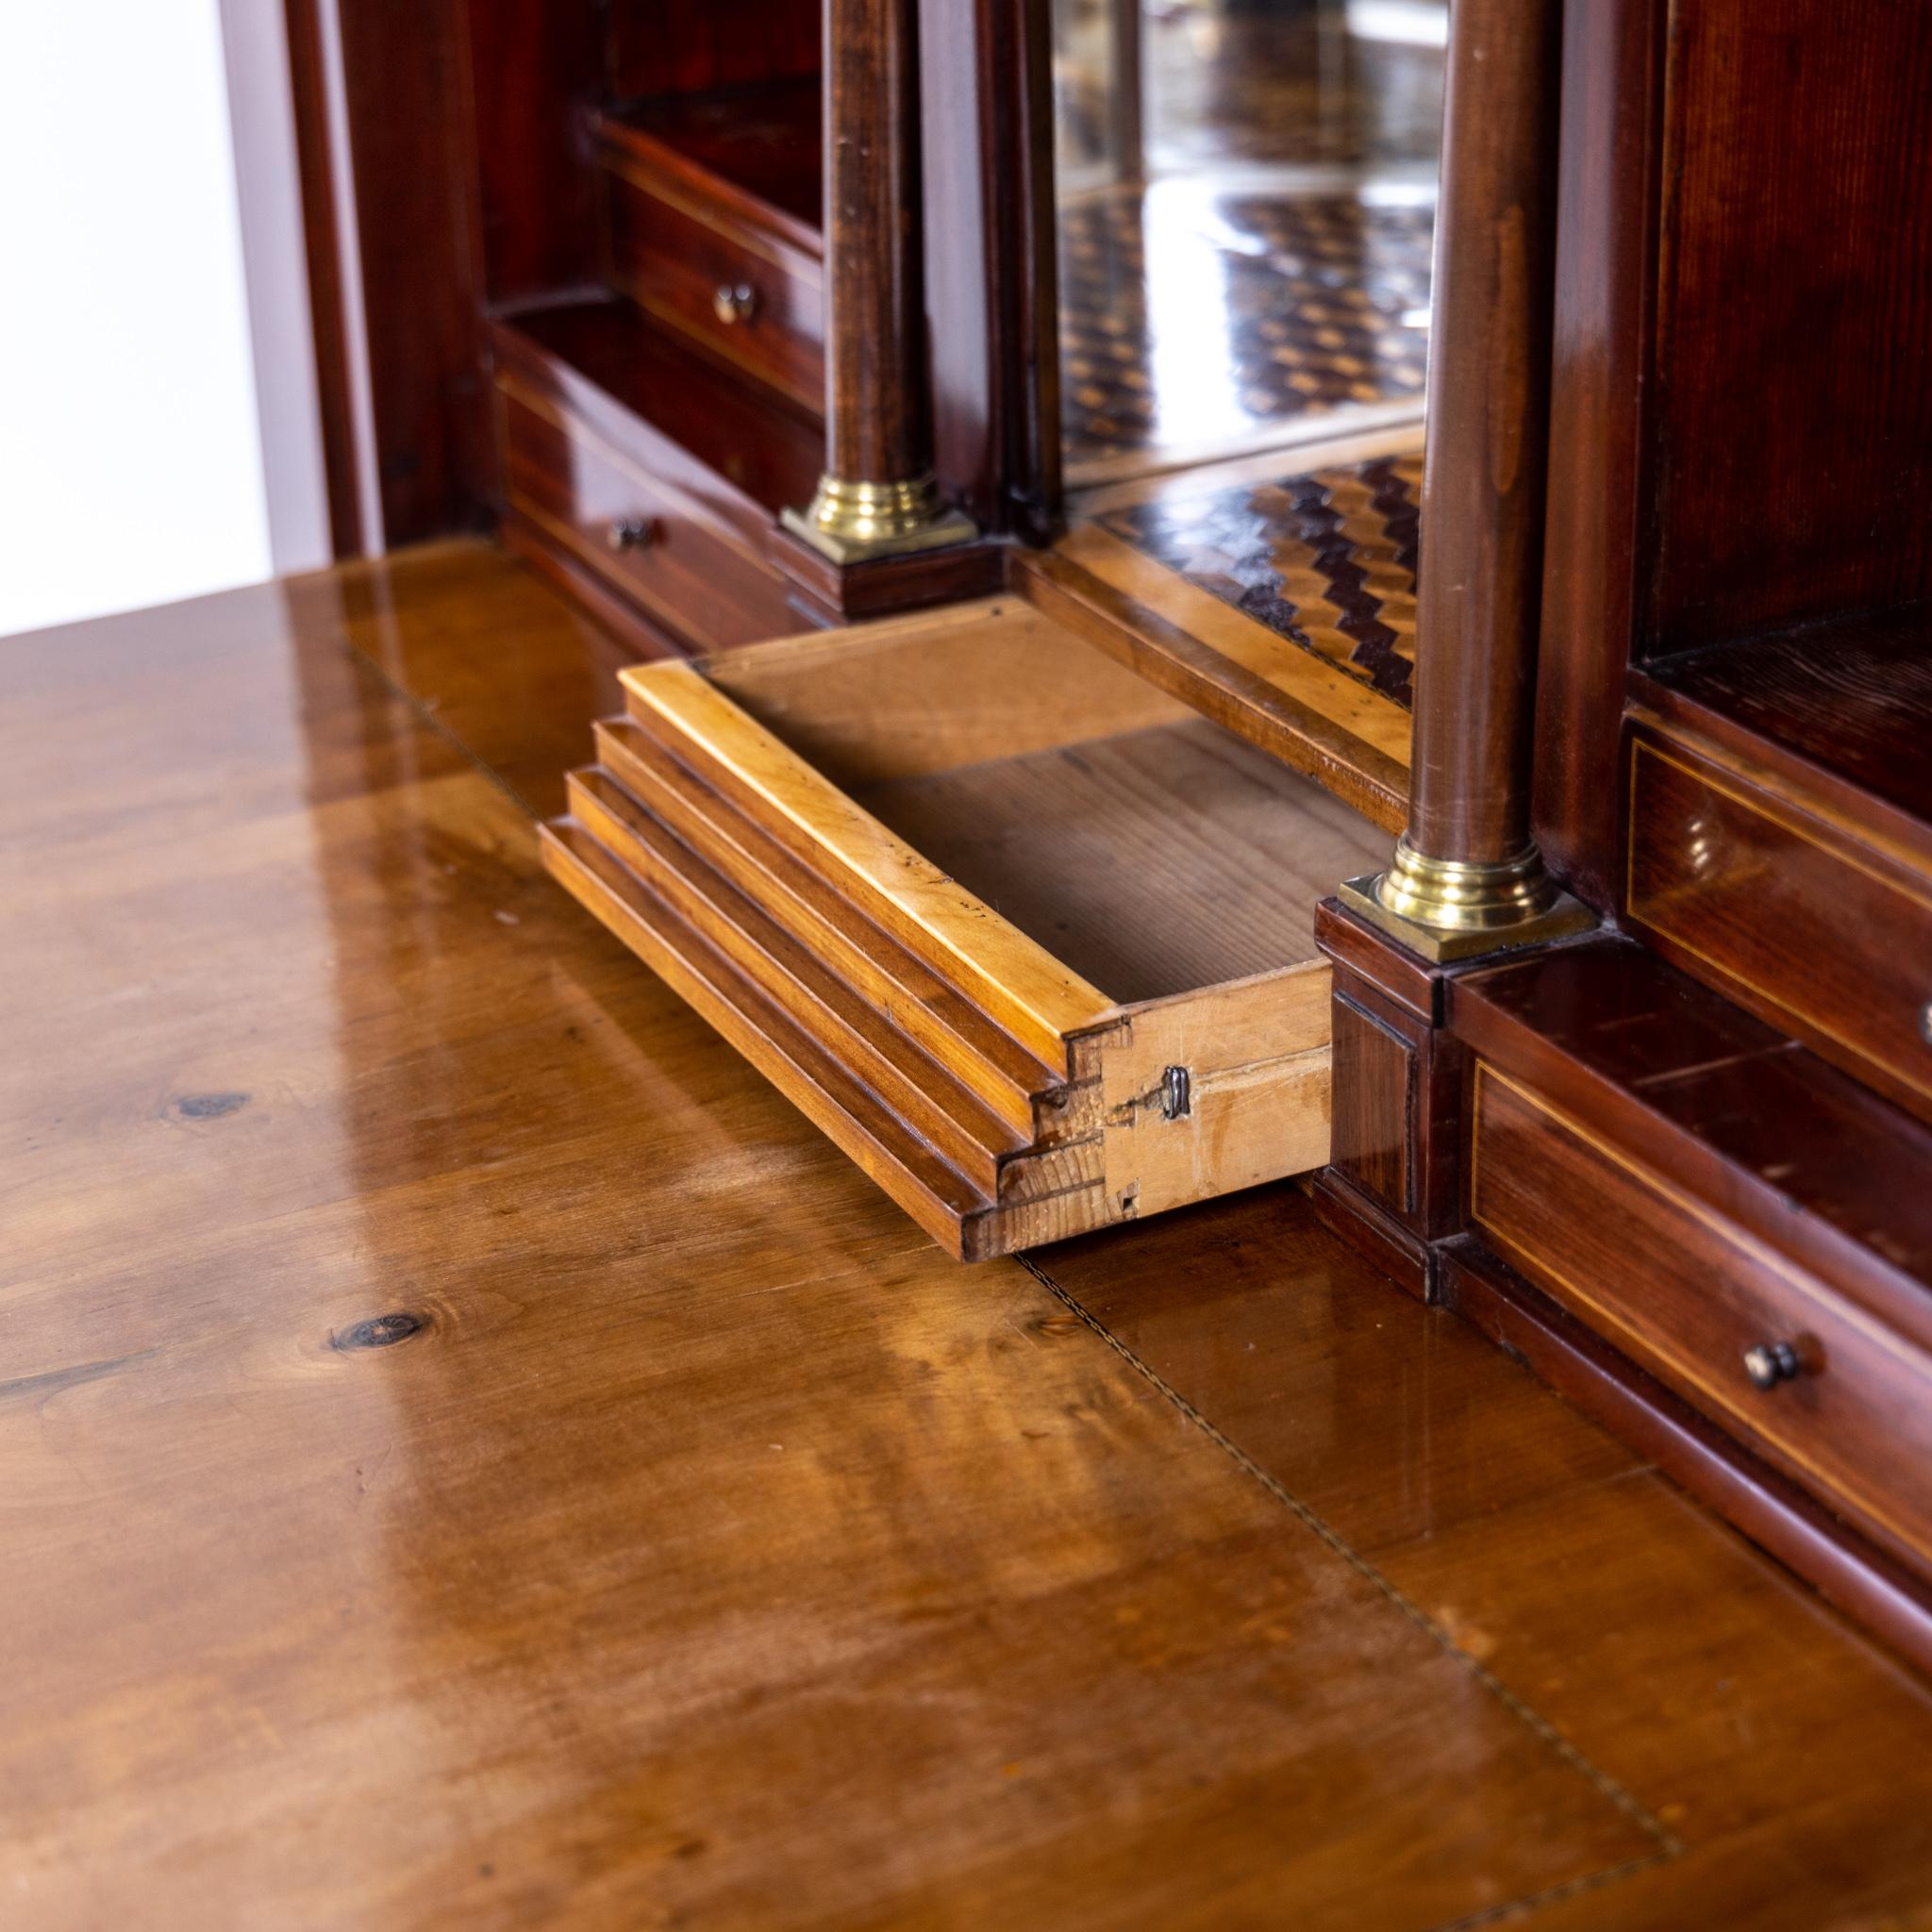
(878, 496)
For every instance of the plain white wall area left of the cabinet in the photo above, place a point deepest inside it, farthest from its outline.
(130, 447)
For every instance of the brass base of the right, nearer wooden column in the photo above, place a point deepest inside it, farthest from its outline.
(1454, 911)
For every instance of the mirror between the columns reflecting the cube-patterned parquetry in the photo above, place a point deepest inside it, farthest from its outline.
(1247, 196)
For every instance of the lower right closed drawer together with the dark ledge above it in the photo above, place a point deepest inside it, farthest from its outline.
(1678, 1174)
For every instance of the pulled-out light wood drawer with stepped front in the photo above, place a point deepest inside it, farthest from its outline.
(1025, 936)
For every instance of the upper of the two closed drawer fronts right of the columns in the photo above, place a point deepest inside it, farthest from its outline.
(1790, 917)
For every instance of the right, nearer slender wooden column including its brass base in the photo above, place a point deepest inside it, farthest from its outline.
(1467, 874)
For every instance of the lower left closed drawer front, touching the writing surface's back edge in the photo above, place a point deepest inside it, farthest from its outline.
(639, 536)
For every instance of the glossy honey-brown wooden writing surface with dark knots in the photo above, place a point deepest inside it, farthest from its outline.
(478, 1458)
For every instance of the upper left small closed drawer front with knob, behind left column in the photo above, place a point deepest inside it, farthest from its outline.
(741, 291)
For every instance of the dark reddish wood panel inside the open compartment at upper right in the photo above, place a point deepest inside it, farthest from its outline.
(1798, 262)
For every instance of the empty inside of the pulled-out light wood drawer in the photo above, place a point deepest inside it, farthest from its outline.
(1149, 849)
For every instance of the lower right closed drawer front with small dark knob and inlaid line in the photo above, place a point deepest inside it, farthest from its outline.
(1645, 1268)
